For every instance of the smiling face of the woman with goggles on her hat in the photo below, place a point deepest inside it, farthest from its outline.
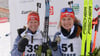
(67, 23)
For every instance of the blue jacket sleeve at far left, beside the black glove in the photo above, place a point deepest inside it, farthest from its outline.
(14, 51)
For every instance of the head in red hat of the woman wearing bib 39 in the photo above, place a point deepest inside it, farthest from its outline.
(33, 21)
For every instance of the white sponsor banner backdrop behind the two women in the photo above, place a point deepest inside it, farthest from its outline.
(21, 8)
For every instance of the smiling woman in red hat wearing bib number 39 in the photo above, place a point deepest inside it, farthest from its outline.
(29, 38)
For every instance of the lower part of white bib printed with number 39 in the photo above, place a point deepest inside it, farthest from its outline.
(31, 47)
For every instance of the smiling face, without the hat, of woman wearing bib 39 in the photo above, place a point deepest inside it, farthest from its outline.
(33, 25)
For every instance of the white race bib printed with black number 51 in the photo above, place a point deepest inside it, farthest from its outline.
(70, 47)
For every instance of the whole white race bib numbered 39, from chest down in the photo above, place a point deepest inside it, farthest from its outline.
(31, 47)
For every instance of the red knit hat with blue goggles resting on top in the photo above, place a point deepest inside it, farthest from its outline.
(67, 12)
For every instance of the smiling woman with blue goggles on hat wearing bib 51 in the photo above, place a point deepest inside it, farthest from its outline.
(68, 39)
